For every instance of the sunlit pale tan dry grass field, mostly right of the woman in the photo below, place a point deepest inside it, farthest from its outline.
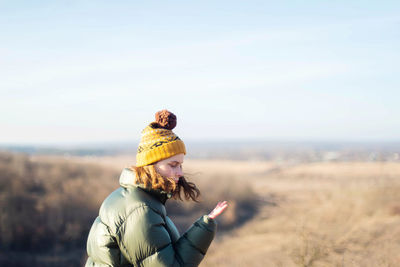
(311, 214)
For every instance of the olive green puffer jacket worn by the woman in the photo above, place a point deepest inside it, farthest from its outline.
(133, 229)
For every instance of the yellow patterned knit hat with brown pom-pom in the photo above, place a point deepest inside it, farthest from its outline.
(158, 142)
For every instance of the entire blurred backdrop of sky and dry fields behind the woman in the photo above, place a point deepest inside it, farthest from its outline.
(289, 110)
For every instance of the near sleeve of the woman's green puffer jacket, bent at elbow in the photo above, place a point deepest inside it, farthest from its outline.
(145, 240)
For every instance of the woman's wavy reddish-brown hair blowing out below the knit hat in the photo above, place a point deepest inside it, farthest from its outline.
(149, 177)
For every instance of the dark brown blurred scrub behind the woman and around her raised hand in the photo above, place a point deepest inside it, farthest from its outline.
(47, 208)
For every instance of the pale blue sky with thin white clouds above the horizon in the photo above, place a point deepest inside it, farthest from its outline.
(97, 71)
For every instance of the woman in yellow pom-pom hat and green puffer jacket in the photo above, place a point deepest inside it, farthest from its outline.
(133, 228)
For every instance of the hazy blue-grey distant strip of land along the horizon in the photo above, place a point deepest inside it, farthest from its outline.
(241, 150)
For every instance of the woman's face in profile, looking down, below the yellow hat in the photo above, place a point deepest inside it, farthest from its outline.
(171, 167)
